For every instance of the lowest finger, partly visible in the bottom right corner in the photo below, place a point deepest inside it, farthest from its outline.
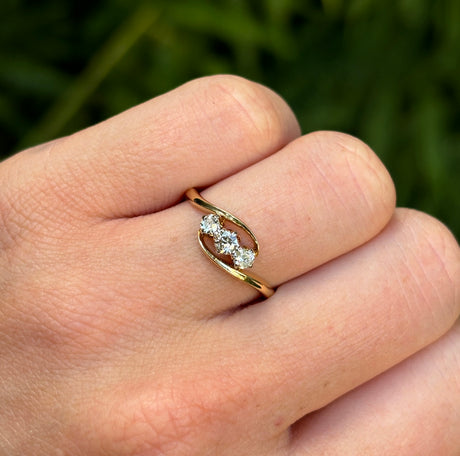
(411, 410)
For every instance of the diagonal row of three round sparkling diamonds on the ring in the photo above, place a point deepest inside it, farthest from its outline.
(227, 242)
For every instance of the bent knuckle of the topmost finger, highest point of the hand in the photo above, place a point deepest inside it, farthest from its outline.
(252, 109)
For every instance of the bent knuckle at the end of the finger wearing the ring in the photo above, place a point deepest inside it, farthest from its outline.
(356, 181)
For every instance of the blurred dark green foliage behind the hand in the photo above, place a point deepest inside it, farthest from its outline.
(387, 72)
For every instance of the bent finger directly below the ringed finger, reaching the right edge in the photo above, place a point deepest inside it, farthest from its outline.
(333, 329)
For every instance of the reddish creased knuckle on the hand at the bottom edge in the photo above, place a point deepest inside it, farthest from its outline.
(175, 419)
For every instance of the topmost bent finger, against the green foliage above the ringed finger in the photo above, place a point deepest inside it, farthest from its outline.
(145, 158)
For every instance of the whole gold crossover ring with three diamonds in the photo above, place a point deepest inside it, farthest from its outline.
(227, 243)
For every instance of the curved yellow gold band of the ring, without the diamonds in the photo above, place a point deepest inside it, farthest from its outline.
(198, 201)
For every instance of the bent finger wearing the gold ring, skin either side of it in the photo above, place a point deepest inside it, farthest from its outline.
(321, 196)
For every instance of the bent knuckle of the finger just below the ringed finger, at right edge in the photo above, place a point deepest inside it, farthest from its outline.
(437, 257)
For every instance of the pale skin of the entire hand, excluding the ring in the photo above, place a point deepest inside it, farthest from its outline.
(118, 336)
